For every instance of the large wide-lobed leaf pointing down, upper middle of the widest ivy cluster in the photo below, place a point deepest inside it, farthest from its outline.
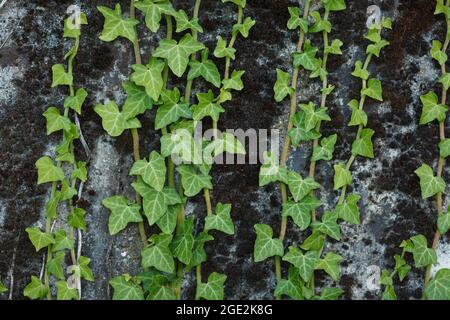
(178, 53)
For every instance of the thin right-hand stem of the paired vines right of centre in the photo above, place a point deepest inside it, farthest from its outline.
(323, 101)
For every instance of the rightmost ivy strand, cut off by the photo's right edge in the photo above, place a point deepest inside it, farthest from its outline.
(432, 184)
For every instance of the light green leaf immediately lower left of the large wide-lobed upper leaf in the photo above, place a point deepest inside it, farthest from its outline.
(150, 77)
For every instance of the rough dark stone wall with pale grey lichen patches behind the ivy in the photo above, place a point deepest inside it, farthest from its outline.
(392, 210)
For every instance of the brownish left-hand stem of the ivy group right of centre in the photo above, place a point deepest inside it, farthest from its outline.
(287, 140)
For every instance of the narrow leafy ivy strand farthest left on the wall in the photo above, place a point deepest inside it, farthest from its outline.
(66, 176)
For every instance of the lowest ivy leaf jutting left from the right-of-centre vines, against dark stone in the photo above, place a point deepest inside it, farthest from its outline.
(265, 245)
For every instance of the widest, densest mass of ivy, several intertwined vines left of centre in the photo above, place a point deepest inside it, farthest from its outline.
(163, 187)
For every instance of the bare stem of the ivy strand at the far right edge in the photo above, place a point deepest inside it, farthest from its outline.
(441, 161)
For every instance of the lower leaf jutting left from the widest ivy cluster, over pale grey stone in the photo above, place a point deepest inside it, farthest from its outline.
(122, 213)
